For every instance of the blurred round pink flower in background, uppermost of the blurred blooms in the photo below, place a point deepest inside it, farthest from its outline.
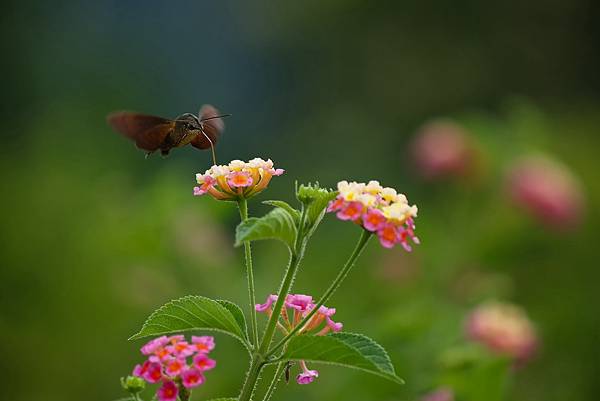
(441, 148)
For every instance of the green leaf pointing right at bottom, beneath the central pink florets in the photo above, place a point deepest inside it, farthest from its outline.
(345, 349)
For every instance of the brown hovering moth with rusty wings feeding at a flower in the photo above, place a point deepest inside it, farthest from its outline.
(152, 133)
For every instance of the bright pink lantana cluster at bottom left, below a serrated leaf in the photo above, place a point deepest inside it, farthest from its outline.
(176, 363)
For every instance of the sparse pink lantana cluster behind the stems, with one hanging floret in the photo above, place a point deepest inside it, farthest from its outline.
(298, 306)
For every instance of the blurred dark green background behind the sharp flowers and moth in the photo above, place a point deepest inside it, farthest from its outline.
(94, 236)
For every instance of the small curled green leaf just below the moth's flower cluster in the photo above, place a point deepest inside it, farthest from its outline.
(277, 224)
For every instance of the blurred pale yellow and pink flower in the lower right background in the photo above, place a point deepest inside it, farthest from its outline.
(504, 328)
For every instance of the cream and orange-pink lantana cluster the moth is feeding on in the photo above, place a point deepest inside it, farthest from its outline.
(236, 180)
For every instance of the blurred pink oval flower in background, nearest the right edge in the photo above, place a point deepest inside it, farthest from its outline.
(547, 189)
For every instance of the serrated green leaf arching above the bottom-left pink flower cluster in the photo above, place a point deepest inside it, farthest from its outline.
(193, 312)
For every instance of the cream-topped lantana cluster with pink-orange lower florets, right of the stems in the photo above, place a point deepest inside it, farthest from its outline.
(378, 209)
